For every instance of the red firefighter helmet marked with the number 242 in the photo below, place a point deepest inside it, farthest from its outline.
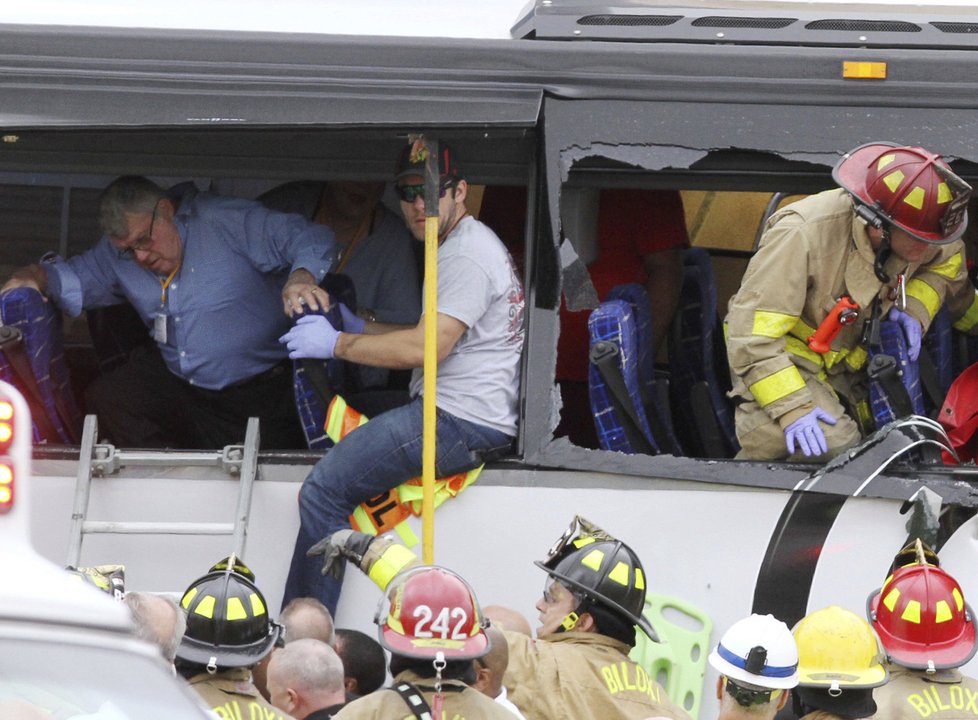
(430, 609)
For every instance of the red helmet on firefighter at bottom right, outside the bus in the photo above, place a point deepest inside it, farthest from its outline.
(922, 619)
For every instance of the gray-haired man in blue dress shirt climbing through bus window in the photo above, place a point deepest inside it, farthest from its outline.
(215, 280)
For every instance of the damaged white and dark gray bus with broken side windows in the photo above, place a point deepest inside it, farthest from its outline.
(734, 105)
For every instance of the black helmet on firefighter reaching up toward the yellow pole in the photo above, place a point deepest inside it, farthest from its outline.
(605, 570)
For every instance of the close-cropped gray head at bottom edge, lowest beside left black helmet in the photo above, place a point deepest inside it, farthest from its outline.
(305, 676)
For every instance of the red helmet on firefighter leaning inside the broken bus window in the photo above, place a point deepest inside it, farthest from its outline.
(907, 187)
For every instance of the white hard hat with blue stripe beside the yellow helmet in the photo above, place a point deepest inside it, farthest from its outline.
(758, 650)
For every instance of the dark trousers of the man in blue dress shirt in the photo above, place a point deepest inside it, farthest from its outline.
(142, 404)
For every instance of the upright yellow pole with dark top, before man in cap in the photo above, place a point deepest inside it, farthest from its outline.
(431, 180)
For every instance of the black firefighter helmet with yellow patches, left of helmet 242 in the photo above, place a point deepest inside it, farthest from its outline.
(227, 619)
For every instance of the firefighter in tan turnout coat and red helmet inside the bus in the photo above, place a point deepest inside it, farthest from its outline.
(887, 242)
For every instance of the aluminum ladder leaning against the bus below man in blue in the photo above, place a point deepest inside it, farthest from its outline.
(100, 460)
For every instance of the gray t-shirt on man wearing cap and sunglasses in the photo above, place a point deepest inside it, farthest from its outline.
(478, 285)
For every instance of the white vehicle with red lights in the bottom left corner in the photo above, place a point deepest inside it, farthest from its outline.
(67, 650)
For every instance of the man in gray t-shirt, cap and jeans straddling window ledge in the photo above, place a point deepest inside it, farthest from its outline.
(480, 339)
